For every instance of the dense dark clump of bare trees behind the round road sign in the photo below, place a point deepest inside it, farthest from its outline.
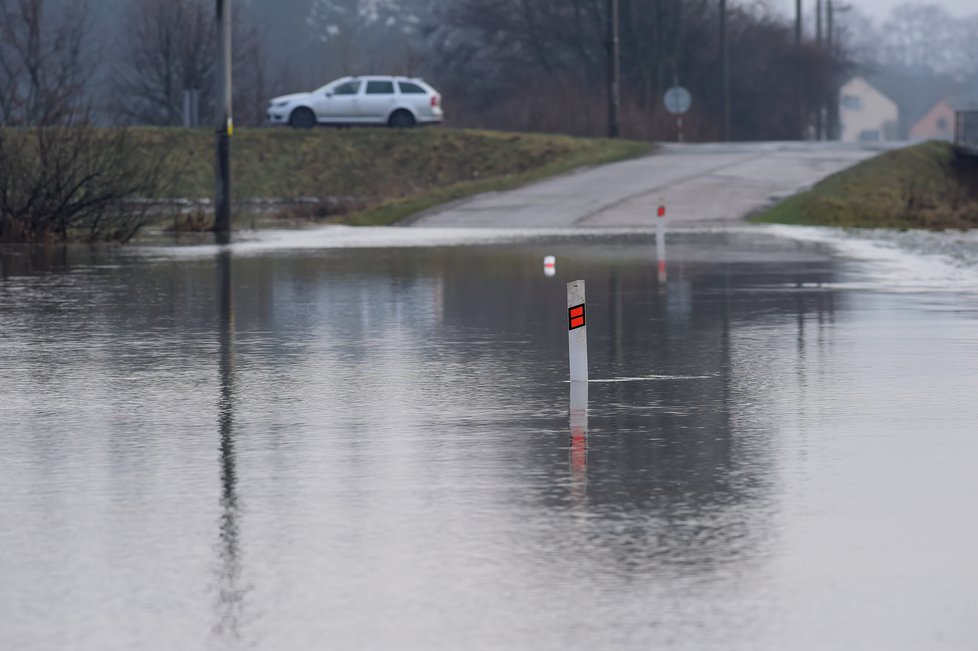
(540, 64)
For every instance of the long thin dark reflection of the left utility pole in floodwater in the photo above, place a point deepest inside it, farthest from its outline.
(230, 591)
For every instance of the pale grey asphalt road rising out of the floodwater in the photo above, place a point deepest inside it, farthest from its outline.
(699, 184)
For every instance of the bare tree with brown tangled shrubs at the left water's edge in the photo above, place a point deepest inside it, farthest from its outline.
(61, 178)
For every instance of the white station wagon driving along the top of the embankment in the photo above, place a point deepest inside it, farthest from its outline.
(394, 101)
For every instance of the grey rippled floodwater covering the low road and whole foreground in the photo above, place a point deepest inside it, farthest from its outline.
(361, 440)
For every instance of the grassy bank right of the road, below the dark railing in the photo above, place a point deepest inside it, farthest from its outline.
(924, 186)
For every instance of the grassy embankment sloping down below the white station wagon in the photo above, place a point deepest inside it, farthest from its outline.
(374, 176)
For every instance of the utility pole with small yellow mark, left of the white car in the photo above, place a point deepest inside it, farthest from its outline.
(225, 125)
